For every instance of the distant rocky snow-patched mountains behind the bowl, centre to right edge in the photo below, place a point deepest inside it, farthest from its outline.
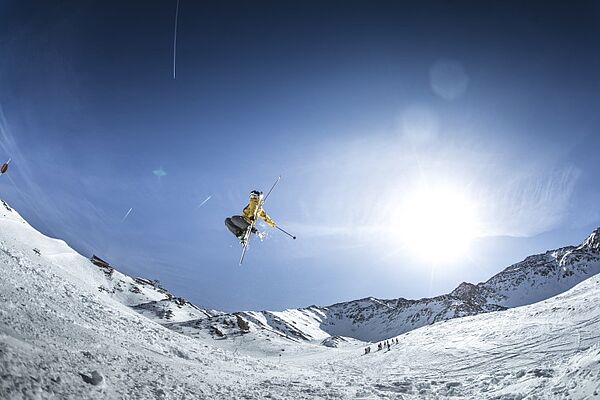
(536, 278)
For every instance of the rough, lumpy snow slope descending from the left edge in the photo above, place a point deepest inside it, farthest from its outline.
(63, 338)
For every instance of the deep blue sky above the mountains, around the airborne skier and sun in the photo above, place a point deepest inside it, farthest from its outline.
(357, 105)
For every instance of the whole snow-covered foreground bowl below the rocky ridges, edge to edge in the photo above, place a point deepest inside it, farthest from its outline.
(63, 338)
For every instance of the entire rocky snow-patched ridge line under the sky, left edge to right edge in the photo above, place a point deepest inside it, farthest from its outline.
(536, 278)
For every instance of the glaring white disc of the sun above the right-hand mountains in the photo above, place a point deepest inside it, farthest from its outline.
(437, 224)
